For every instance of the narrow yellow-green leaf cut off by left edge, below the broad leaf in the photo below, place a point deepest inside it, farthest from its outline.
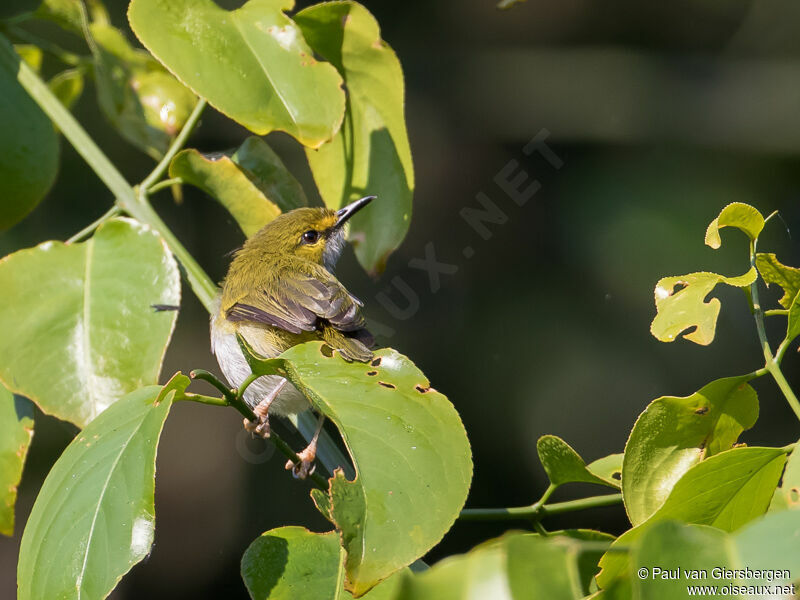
(16, 432)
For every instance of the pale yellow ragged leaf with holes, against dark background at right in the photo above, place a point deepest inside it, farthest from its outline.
(681, 305)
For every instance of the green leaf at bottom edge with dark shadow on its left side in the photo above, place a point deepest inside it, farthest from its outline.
(292, 563)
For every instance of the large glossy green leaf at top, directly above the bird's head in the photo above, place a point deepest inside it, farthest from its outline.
(251, 63)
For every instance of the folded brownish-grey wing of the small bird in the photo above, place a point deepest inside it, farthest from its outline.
(298, 300)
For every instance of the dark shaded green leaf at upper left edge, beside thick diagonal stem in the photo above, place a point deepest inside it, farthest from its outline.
(30, 148)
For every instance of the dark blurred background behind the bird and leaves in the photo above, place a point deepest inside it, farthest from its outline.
(661, 114)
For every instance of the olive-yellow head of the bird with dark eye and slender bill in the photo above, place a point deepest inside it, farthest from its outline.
(313, 234)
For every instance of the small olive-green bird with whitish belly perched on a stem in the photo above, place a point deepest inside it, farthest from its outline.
(280, 291)
